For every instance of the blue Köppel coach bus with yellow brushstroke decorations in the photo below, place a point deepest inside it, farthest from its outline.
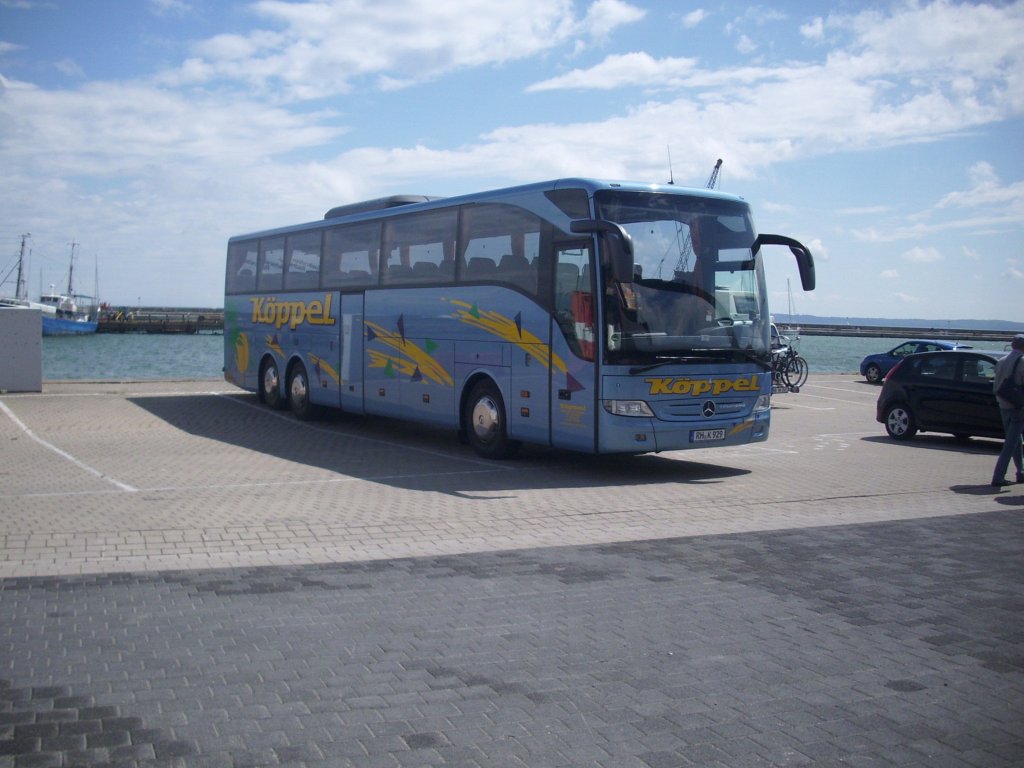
(591, 316)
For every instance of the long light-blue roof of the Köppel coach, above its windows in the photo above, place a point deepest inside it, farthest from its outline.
(381, 207)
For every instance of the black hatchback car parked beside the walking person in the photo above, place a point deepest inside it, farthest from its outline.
(949, 392)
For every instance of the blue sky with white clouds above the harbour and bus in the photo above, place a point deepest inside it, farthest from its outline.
(888, 137)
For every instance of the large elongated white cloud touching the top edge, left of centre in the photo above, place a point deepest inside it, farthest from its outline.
(317, 50)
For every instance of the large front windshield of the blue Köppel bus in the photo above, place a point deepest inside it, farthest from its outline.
(697, 292)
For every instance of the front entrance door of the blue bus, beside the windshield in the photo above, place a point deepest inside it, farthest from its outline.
(574, 349)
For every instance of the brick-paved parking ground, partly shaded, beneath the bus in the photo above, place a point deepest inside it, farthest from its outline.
(829, 599)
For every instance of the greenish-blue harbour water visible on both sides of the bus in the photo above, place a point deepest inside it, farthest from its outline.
(144, 357)
